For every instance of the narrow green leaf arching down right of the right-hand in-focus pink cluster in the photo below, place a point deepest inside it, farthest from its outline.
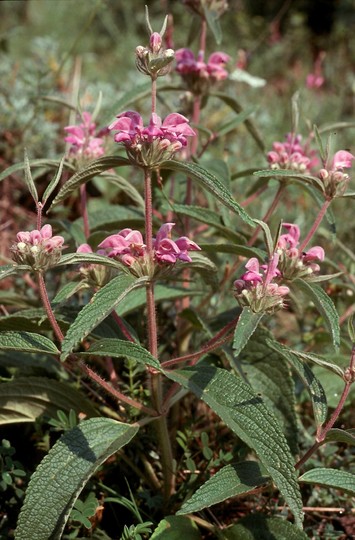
(325, 306)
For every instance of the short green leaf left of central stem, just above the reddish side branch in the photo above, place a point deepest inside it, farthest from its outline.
(119, 348)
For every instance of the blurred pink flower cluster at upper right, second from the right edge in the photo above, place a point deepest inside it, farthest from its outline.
(291, 155)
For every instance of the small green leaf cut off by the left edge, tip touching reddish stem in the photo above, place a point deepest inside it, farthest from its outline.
(26, 342)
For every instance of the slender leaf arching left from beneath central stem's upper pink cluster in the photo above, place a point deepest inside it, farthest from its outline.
(84, 175)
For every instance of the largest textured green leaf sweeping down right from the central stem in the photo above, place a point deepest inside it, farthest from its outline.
(244, 412)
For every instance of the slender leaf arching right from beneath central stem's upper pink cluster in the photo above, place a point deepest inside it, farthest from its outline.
(209, 182)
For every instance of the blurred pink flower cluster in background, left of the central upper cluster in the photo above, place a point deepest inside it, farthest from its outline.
(83, 138)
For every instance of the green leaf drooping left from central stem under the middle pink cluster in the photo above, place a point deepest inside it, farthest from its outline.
(100, 306)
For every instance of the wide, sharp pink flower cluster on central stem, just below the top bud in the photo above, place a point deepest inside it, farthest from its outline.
(160, 140)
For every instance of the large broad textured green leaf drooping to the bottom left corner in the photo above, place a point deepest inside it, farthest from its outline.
(62, 474)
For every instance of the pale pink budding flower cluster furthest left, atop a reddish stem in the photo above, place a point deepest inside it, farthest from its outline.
(38, 249)
